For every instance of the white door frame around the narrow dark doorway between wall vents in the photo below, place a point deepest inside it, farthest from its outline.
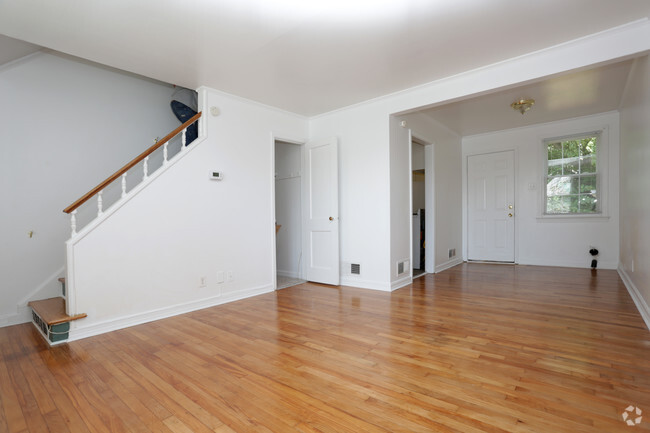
(429, 203)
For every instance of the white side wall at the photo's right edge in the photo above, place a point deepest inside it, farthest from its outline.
(635, 186)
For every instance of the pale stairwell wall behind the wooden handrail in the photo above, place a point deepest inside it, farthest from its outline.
(66, 126)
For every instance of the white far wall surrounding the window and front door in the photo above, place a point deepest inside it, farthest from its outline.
(555, 241)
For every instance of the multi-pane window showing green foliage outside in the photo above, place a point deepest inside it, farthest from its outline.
(572, 175)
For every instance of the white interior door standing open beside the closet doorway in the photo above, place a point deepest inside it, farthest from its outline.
(320, 213)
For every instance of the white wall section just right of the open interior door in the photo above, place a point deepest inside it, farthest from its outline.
(363, 190)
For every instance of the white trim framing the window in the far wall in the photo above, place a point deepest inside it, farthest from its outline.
(603, 178)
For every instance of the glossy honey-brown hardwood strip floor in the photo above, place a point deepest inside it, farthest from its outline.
(477, 348)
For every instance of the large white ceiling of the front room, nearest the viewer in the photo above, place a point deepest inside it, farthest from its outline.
(307, 56)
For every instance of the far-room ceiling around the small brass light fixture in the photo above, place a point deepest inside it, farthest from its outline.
(576, 94)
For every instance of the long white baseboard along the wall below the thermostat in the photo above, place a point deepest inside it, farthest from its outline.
(80, 330)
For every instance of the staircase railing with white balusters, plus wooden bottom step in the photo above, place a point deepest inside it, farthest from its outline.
(52, 317)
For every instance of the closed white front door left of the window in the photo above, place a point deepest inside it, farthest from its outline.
(490, 207)
